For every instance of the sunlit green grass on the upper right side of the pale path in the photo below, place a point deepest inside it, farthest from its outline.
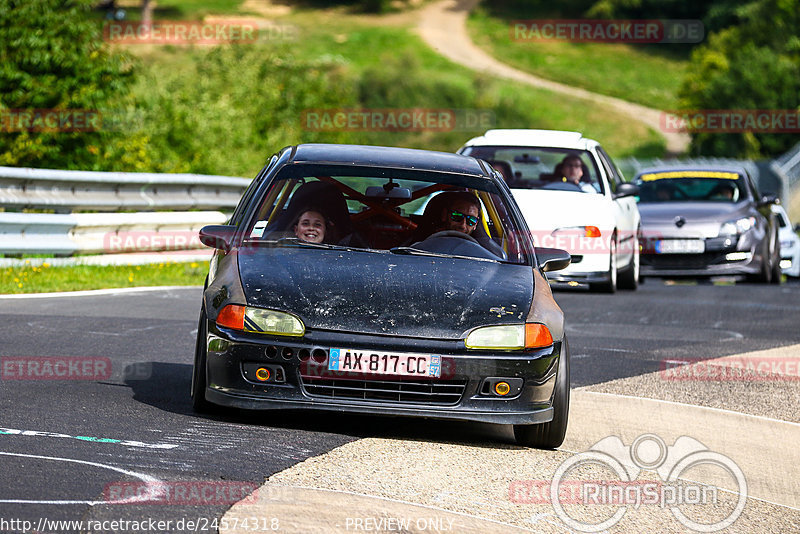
(646, 74)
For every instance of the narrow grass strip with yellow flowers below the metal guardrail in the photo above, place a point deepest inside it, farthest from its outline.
(46, 278)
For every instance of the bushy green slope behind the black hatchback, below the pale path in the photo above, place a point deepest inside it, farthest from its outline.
(224, 110)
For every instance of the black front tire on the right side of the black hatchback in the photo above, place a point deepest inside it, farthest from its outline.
(551, 435)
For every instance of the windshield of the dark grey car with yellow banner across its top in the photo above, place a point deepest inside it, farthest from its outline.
(686, 186)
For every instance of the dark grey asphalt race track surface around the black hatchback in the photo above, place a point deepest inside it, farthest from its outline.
(66, 445)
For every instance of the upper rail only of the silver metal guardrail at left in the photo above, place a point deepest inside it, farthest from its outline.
(67, 191)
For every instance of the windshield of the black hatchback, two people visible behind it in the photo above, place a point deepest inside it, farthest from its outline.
(392, 211)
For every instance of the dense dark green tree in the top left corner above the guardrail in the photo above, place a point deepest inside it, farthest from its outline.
(52, 57)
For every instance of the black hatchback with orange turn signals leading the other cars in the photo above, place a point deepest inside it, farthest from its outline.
(383, 281)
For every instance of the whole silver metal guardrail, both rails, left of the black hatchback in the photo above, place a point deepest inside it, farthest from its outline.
(68, 193)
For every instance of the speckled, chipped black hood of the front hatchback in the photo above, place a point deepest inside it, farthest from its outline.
(382, 293)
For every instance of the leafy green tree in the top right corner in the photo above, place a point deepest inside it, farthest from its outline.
(752, 65)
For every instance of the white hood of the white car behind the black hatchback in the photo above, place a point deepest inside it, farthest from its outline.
(546, 211)
